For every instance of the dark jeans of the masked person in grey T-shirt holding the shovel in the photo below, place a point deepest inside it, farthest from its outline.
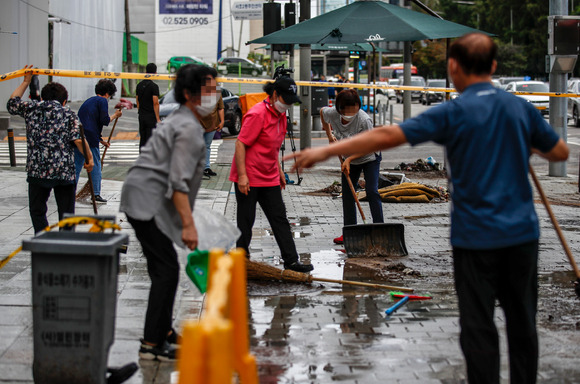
(371, 174)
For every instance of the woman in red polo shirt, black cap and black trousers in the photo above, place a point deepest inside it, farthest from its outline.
(256, 171)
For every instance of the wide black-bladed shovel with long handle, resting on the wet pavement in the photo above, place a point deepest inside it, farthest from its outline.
(372, 240)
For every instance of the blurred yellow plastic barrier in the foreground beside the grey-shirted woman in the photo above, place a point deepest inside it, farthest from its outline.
(216, 346)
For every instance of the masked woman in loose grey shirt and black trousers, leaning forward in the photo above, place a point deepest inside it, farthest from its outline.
(158, 197)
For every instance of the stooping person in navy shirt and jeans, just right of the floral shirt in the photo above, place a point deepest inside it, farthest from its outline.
(94, 114)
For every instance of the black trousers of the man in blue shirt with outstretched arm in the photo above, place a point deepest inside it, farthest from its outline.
(509, 275)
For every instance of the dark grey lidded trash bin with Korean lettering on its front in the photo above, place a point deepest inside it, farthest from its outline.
(74, 297)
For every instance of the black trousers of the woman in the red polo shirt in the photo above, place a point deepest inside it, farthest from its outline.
(270, 199)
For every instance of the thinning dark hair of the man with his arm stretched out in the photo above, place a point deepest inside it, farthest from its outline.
(475, 53)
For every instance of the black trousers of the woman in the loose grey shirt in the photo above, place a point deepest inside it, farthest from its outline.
(163, 269)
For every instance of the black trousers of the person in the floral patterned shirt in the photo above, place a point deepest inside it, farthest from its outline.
(37, 202)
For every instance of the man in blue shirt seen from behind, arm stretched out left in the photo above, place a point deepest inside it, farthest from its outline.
(489, 136)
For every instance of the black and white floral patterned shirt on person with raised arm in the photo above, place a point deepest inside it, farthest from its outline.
(50, 132)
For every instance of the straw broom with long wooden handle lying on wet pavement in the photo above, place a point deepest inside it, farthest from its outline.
(261, 271)
